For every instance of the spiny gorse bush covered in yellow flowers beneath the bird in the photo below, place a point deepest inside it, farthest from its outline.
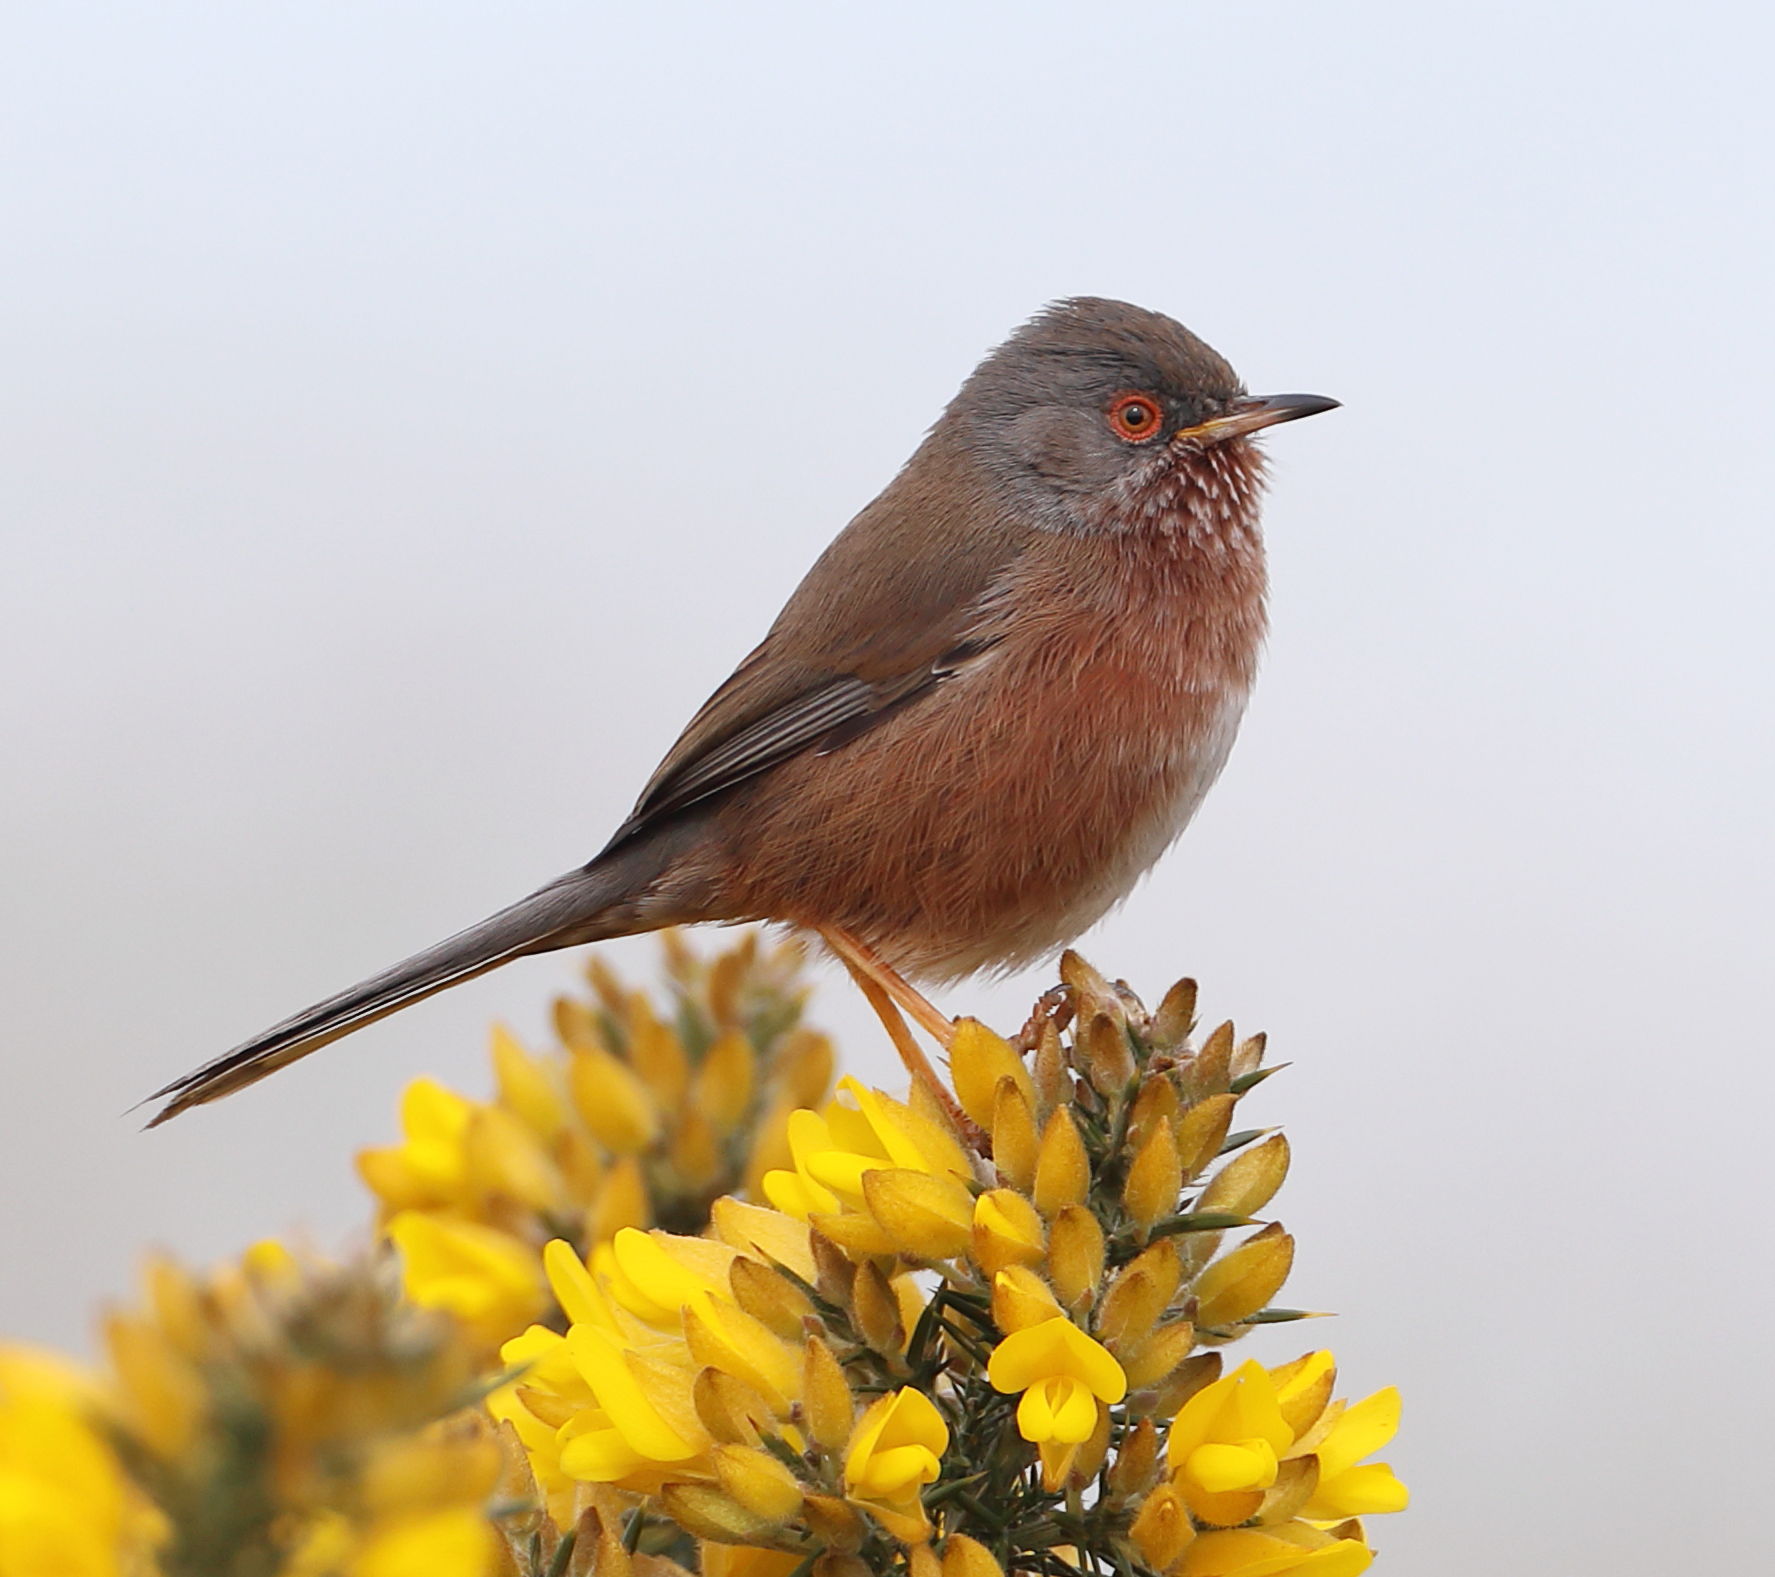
(667, 1304)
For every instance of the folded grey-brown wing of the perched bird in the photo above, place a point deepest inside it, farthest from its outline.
(887, 614)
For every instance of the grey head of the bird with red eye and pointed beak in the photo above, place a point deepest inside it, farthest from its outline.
(1103, 416)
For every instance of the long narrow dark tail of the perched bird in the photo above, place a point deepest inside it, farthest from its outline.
(588, 905)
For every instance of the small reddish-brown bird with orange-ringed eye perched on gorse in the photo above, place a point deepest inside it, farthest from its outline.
(988, 709)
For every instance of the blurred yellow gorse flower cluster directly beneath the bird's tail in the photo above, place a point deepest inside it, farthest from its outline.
(631, 1121)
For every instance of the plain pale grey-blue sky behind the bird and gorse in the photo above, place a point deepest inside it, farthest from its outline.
(413, 411)
